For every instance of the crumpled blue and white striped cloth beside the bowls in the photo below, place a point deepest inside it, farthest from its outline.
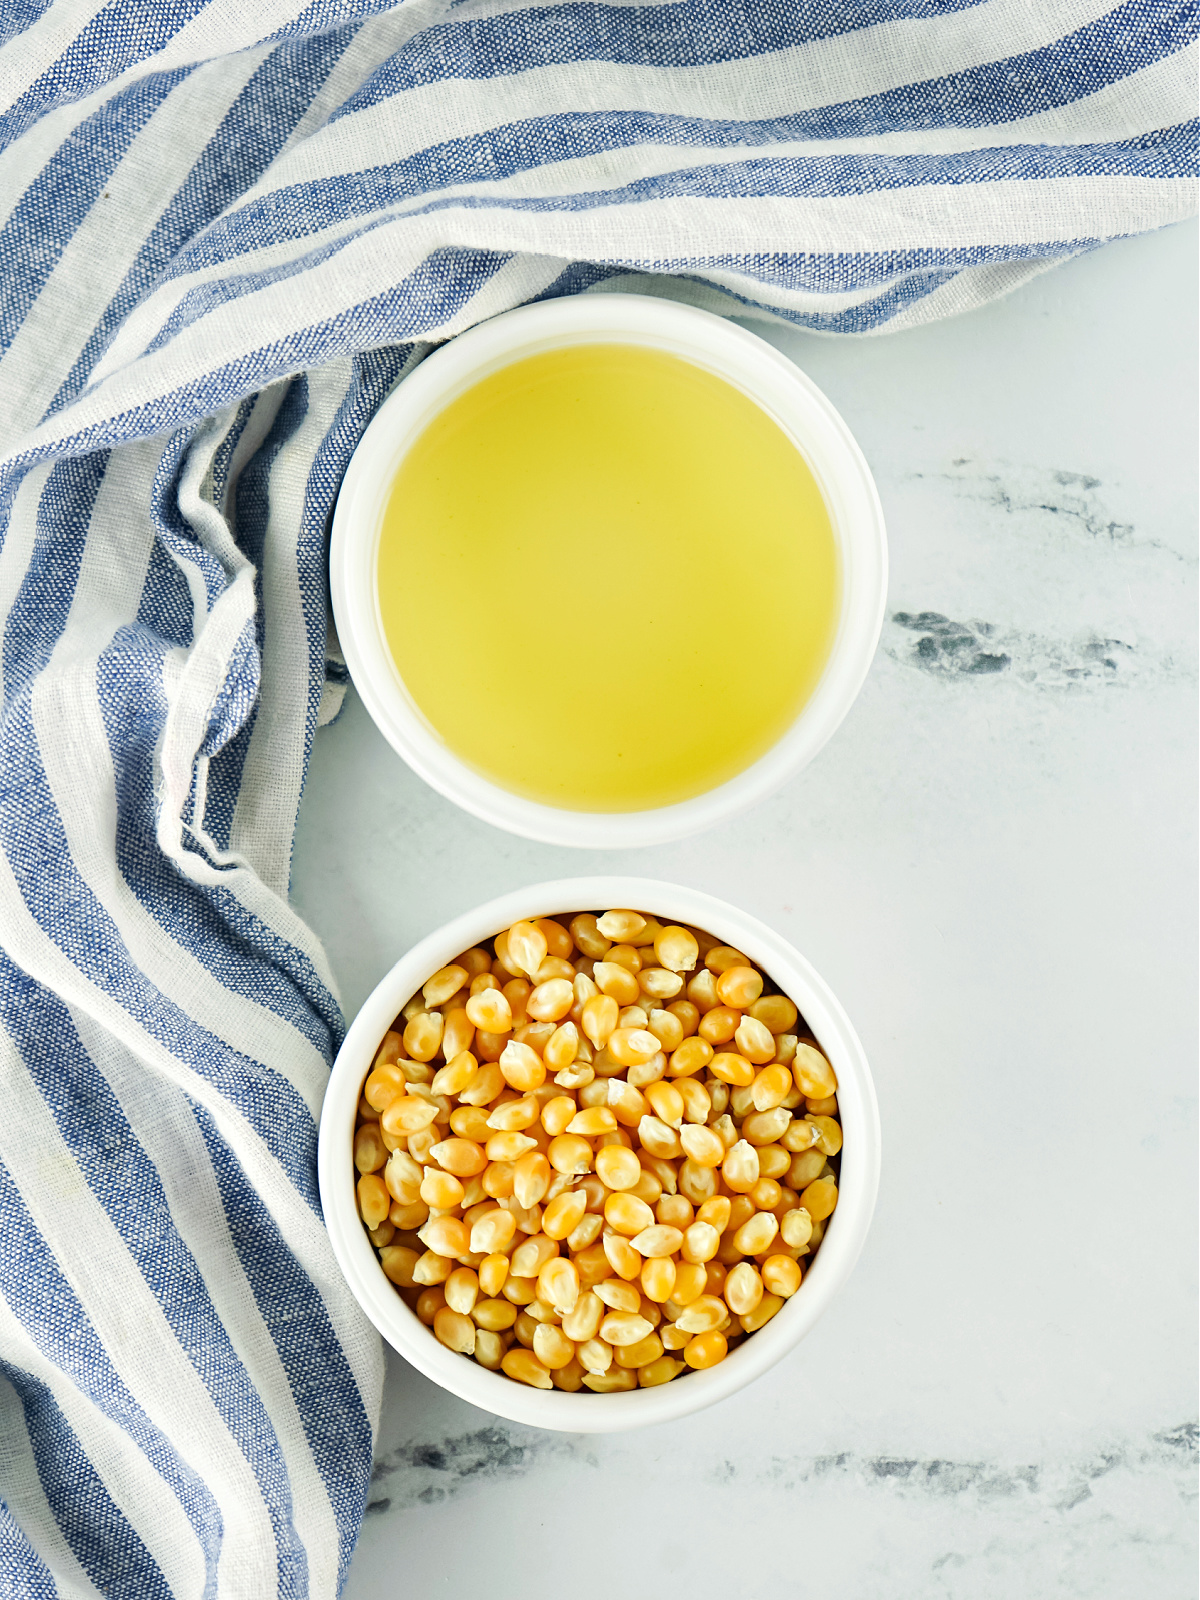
(226, 230)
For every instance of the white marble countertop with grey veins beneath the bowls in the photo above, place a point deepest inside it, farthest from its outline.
(994, 866)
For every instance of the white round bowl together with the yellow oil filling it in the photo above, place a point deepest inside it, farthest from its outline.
(607, 570)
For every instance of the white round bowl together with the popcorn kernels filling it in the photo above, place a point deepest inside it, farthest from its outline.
(599, 1154)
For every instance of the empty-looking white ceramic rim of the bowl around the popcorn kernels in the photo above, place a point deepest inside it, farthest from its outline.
(588, 1414)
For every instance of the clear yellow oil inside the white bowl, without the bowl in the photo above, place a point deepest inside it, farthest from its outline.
(609, 580)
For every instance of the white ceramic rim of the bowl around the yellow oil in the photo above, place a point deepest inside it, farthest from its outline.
(746, 362)
